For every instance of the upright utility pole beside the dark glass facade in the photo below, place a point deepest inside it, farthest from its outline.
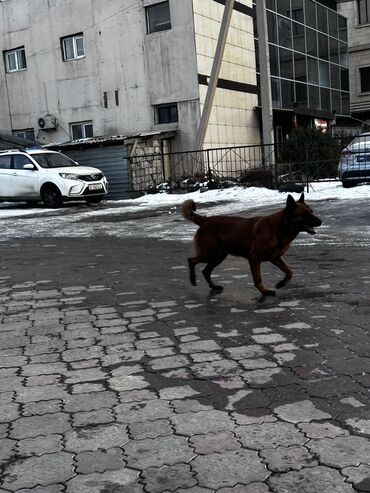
(265, 81)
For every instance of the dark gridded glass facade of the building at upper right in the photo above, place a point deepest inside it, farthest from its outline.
(308, 51)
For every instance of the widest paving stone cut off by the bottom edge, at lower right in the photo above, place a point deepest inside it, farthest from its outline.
(310, 480)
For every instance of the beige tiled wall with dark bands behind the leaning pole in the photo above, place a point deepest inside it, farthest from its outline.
(233, 120)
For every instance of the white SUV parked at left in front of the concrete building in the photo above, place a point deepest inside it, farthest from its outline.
(50, 176)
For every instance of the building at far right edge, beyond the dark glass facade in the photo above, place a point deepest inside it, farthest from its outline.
(358, 15)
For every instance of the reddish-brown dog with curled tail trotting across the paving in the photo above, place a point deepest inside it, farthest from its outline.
(257, 239)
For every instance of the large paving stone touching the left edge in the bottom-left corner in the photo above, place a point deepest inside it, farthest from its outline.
(44, 470)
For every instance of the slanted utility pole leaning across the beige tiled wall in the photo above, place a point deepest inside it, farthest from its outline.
(216, 67)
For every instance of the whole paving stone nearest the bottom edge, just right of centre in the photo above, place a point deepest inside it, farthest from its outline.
(229, 468)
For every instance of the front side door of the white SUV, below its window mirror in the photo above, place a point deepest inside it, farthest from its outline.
(24, 181)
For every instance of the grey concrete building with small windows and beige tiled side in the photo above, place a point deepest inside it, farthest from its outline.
(74, 70)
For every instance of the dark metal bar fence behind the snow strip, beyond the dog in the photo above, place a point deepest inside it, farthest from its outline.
(269, 166)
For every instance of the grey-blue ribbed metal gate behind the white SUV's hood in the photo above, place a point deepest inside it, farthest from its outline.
(113, 161)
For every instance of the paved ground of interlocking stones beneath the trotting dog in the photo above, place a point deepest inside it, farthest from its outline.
(116, 375)
